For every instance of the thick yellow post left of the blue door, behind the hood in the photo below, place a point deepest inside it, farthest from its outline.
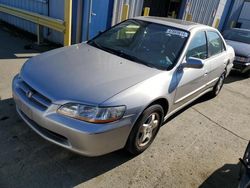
(67, 20)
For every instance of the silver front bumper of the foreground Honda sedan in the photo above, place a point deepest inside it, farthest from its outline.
(85, 138)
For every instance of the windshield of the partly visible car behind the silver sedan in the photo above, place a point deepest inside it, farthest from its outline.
(237, 35)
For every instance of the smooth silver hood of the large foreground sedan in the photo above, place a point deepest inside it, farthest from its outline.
(82, 73)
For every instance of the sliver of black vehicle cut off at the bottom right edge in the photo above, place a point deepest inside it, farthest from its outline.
(245, 169)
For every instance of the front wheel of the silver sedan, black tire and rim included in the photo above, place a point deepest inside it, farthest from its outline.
(145, 130)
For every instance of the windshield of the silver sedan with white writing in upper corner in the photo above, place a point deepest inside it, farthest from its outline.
(148, 43)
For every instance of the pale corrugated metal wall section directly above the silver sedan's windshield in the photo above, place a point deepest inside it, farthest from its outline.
(135, 9)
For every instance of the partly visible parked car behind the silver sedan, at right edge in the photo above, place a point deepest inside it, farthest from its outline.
(239, 39)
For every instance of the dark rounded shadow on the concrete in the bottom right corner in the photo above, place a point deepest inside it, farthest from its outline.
(225, 177)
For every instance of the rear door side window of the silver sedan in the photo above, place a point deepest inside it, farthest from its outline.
(215, 43)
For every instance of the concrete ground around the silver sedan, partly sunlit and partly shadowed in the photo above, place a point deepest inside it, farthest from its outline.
(199, 147)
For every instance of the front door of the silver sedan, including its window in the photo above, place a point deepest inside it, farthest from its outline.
(193, 81)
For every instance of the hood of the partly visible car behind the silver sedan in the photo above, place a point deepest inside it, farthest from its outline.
(240, 48)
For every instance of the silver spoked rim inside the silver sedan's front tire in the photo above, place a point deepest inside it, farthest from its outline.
(147, 130)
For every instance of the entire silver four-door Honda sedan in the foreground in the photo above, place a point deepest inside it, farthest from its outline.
(117, 89)
